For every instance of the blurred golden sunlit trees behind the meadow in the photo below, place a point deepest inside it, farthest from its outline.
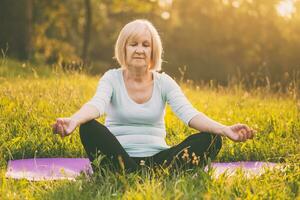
(253, 42)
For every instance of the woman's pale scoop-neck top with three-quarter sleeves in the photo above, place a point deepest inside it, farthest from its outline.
(140, 128)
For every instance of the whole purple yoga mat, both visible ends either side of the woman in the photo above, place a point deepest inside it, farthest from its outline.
(69, 168)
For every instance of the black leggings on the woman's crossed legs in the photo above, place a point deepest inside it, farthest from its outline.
(193, 151)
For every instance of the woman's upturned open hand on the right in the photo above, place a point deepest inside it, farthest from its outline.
(238, 132)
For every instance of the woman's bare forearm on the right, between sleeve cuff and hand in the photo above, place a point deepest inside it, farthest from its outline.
(203, 123)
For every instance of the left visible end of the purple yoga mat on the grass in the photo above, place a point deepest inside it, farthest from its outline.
(38, 169)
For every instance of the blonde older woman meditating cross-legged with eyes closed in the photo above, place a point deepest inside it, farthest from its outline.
(134, 97)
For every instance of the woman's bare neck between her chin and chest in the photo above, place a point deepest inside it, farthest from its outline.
(137, 75)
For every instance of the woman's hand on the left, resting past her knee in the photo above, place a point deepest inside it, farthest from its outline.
(64, 126)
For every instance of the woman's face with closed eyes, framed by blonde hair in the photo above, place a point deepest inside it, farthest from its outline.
(138, 50)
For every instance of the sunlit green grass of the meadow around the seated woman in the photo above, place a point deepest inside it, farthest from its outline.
(30, 101)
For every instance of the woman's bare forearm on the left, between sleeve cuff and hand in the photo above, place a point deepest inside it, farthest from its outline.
(85, 114)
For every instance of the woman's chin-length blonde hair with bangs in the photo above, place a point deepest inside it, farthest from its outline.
(133, 29)
